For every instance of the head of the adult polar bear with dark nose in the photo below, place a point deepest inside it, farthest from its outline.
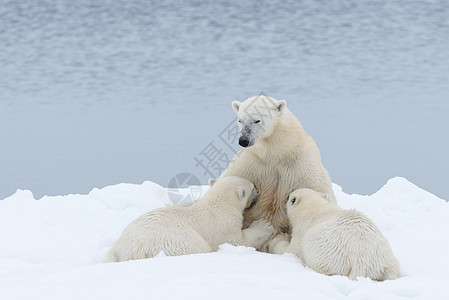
(257, 117)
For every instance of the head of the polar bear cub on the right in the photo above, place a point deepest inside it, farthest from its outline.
(302, 199)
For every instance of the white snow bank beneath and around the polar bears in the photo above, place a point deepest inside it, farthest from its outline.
(55, 248)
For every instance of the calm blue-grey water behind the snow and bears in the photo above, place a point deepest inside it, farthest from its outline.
(97, 93)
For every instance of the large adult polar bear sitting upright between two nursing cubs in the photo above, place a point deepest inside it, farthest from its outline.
(278, 157)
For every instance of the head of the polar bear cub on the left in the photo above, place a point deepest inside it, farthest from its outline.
(237, 190)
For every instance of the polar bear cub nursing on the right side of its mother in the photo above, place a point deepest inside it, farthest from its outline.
(334, 241)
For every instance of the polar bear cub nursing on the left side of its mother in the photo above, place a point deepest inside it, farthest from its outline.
(214, 219)
